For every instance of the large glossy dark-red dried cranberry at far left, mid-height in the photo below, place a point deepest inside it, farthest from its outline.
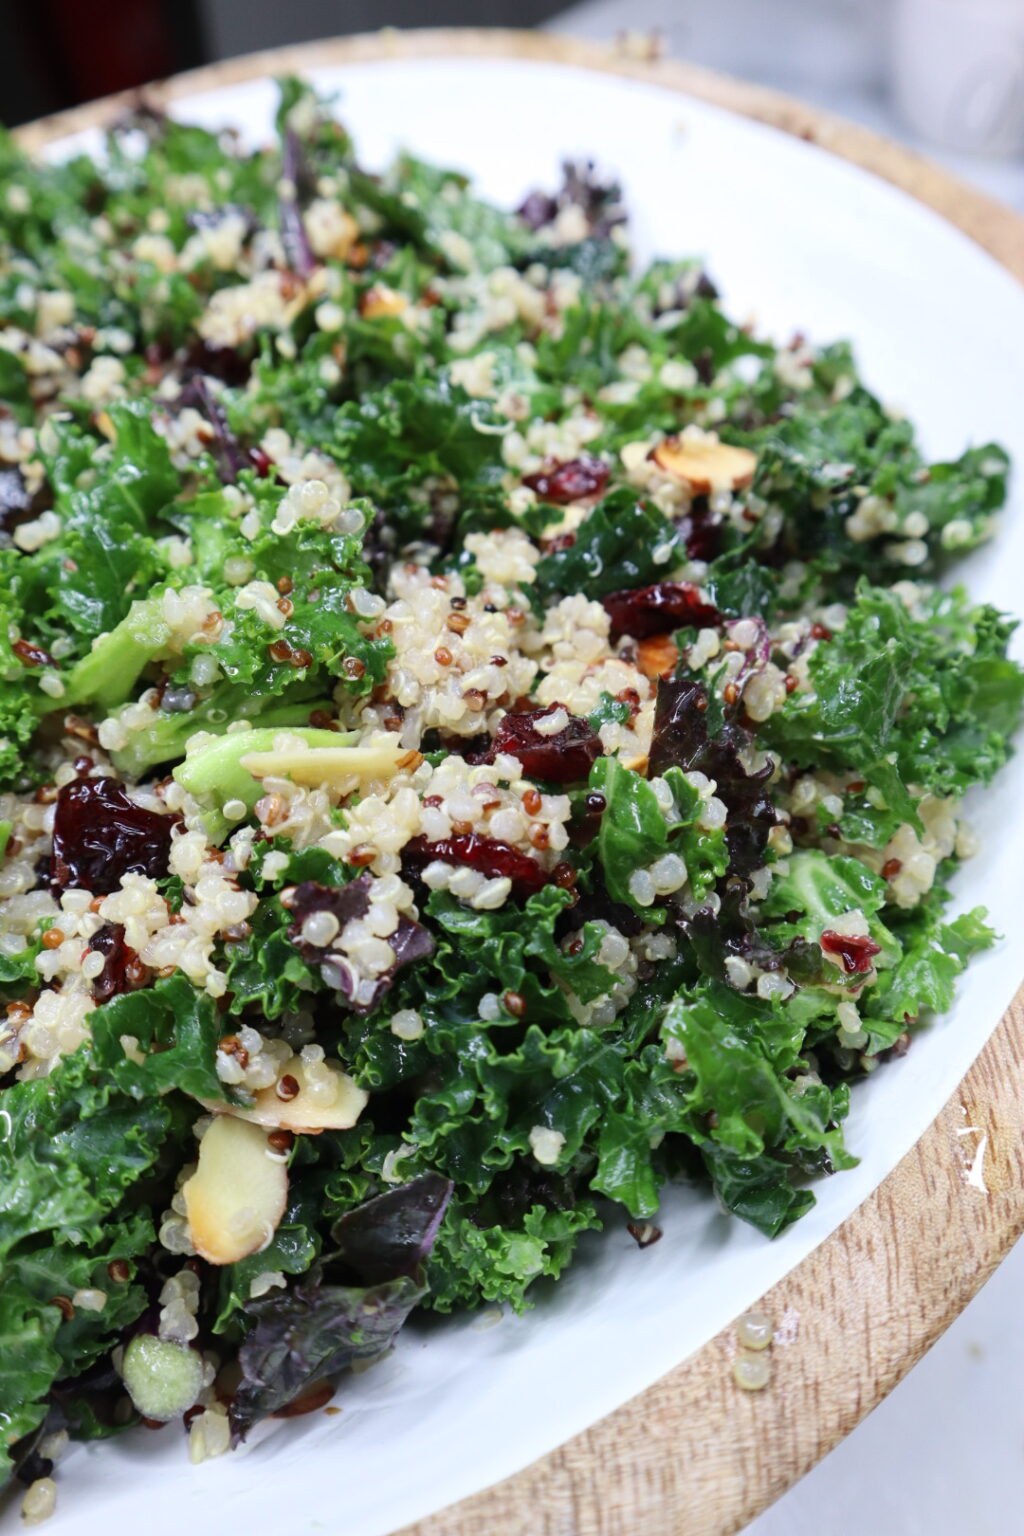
(101, 836)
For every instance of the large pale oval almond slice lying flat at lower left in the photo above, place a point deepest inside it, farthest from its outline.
(239, 1193)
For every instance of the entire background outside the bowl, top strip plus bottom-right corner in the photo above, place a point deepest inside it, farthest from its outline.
(945, 1454)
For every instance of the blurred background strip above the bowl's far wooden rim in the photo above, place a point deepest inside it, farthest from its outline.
(946, 76)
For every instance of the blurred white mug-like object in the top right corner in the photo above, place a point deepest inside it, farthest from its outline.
(959, 73)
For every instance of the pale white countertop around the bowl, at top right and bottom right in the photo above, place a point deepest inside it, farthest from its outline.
(945, 1454)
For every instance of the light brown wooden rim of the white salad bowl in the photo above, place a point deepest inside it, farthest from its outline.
(695, 1455)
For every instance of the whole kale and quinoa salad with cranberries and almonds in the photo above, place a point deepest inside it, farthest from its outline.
(481, 737)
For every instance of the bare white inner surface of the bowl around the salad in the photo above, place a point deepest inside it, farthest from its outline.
(804, 242)
